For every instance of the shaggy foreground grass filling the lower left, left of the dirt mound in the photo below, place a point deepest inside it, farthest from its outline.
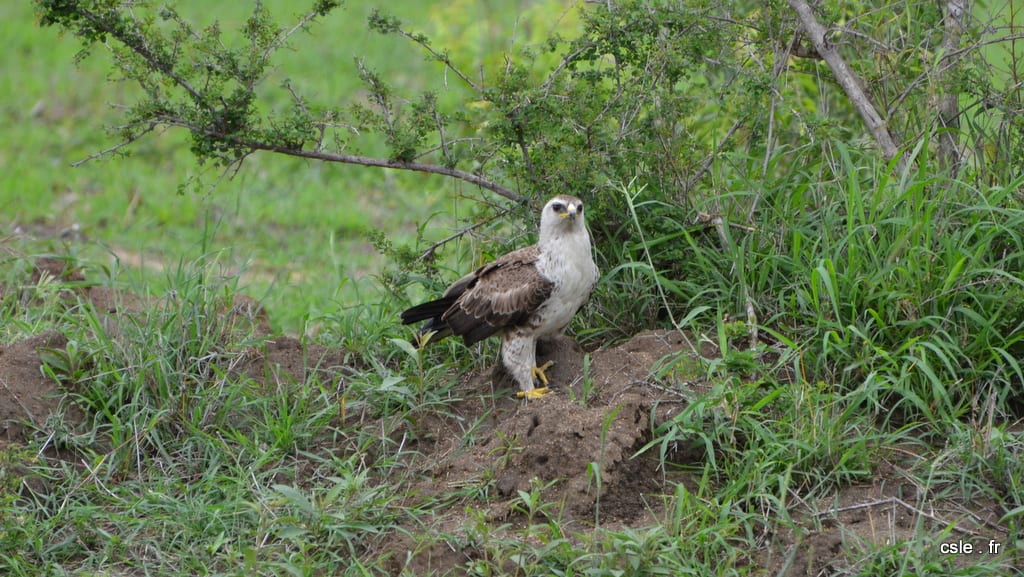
(188, 448)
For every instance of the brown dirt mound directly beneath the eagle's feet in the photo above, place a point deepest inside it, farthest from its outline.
(577, 443)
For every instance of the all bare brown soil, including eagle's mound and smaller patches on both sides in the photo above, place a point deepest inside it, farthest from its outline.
(577, 446)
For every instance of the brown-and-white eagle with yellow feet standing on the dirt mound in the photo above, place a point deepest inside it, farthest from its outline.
(528, 295)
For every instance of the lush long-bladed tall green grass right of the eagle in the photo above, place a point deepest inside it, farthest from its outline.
(906, 290)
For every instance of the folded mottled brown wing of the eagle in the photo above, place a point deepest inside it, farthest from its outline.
(503, 295)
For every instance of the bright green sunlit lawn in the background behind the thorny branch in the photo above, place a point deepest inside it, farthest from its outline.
(294, 230)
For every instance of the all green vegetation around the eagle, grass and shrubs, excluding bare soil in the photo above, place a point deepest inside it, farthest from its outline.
(735, 190)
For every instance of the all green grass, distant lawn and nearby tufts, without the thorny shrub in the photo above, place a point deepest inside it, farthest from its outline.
(890, 353)
